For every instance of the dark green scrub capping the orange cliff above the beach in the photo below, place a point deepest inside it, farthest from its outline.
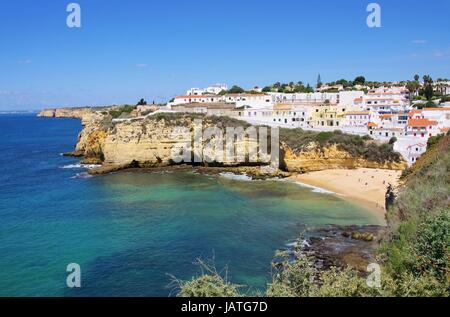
(298, 140)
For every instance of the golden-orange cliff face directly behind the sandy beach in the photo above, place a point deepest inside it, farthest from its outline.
(315, 158)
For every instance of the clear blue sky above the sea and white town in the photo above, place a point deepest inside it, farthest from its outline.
(126, 50)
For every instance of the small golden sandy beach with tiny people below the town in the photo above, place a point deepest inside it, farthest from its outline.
(363, 186)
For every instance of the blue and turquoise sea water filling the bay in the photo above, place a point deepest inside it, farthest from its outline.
(129, 231)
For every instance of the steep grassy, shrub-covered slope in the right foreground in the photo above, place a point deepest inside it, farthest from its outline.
(419, 237)
